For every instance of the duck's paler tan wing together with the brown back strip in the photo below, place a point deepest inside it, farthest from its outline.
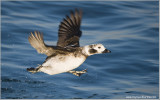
(37, 42)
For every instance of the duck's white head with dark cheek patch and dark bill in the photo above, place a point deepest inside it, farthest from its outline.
(94, 49)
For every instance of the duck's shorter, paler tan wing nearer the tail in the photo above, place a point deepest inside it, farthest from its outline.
(37, 42)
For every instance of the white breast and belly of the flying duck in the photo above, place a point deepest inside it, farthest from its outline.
(60, 64)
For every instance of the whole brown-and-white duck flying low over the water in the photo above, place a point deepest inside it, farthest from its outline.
(68, 54)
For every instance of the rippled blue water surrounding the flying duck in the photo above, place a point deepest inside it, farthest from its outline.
(129, 29)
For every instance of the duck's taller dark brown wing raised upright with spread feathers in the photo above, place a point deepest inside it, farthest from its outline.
(69, 30)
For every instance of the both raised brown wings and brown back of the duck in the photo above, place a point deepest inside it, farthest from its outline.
(69, 34)
